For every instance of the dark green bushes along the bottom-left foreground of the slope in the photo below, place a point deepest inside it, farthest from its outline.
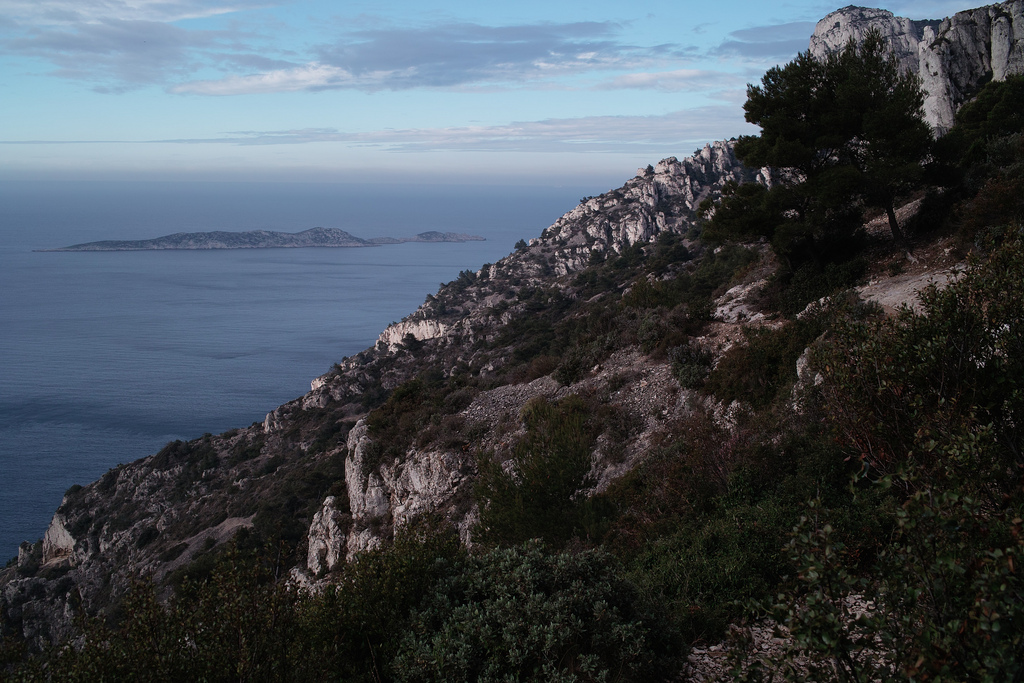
(412, 612)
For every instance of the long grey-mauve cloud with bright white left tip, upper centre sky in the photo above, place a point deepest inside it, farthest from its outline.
(451, 56)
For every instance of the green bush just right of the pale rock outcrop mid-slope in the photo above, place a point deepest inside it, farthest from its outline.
(537, 499)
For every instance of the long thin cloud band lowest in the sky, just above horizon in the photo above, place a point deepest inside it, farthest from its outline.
(649, 135)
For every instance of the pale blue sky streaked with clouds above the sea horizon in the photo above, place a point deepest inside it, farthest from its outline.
(440, 92)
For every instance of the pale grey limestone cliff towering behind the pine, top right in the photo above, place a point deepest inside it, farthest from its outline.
(954, 57)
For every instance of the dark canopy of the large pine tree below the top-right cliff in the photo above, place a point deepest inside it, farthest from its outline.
(840, 135)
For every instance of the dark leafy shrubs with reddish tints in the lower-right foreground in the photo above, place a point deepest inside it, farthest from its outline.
(932, 406)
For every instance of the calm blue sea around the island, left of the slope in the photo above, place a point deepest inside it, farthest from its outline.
(108, 356)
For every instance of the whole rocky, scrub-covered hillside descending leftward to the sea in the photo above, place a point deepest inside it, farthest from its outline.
(692, 426)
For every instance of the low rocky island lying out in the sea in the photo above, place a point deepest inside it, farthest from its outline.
(317, 237)
